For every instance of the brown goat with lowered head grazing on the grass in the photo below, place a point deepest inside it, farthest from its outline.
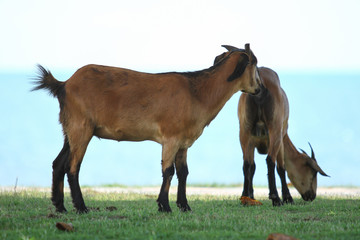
(263, 125)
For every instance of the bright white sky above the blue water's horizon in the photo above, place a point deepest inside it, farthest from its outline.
(178, 35)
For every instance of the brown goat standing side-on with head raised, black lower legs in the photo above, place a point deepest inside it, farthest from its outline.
(124, 105)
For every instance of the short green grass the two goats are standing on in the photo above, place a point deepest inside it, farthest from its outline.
(30, 215)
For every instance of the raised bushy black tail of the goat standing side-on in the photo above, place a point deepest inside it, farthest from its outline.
(45, 80)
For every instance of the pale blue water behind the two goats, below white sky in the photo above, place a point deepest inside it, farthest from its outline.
(324, 110)
